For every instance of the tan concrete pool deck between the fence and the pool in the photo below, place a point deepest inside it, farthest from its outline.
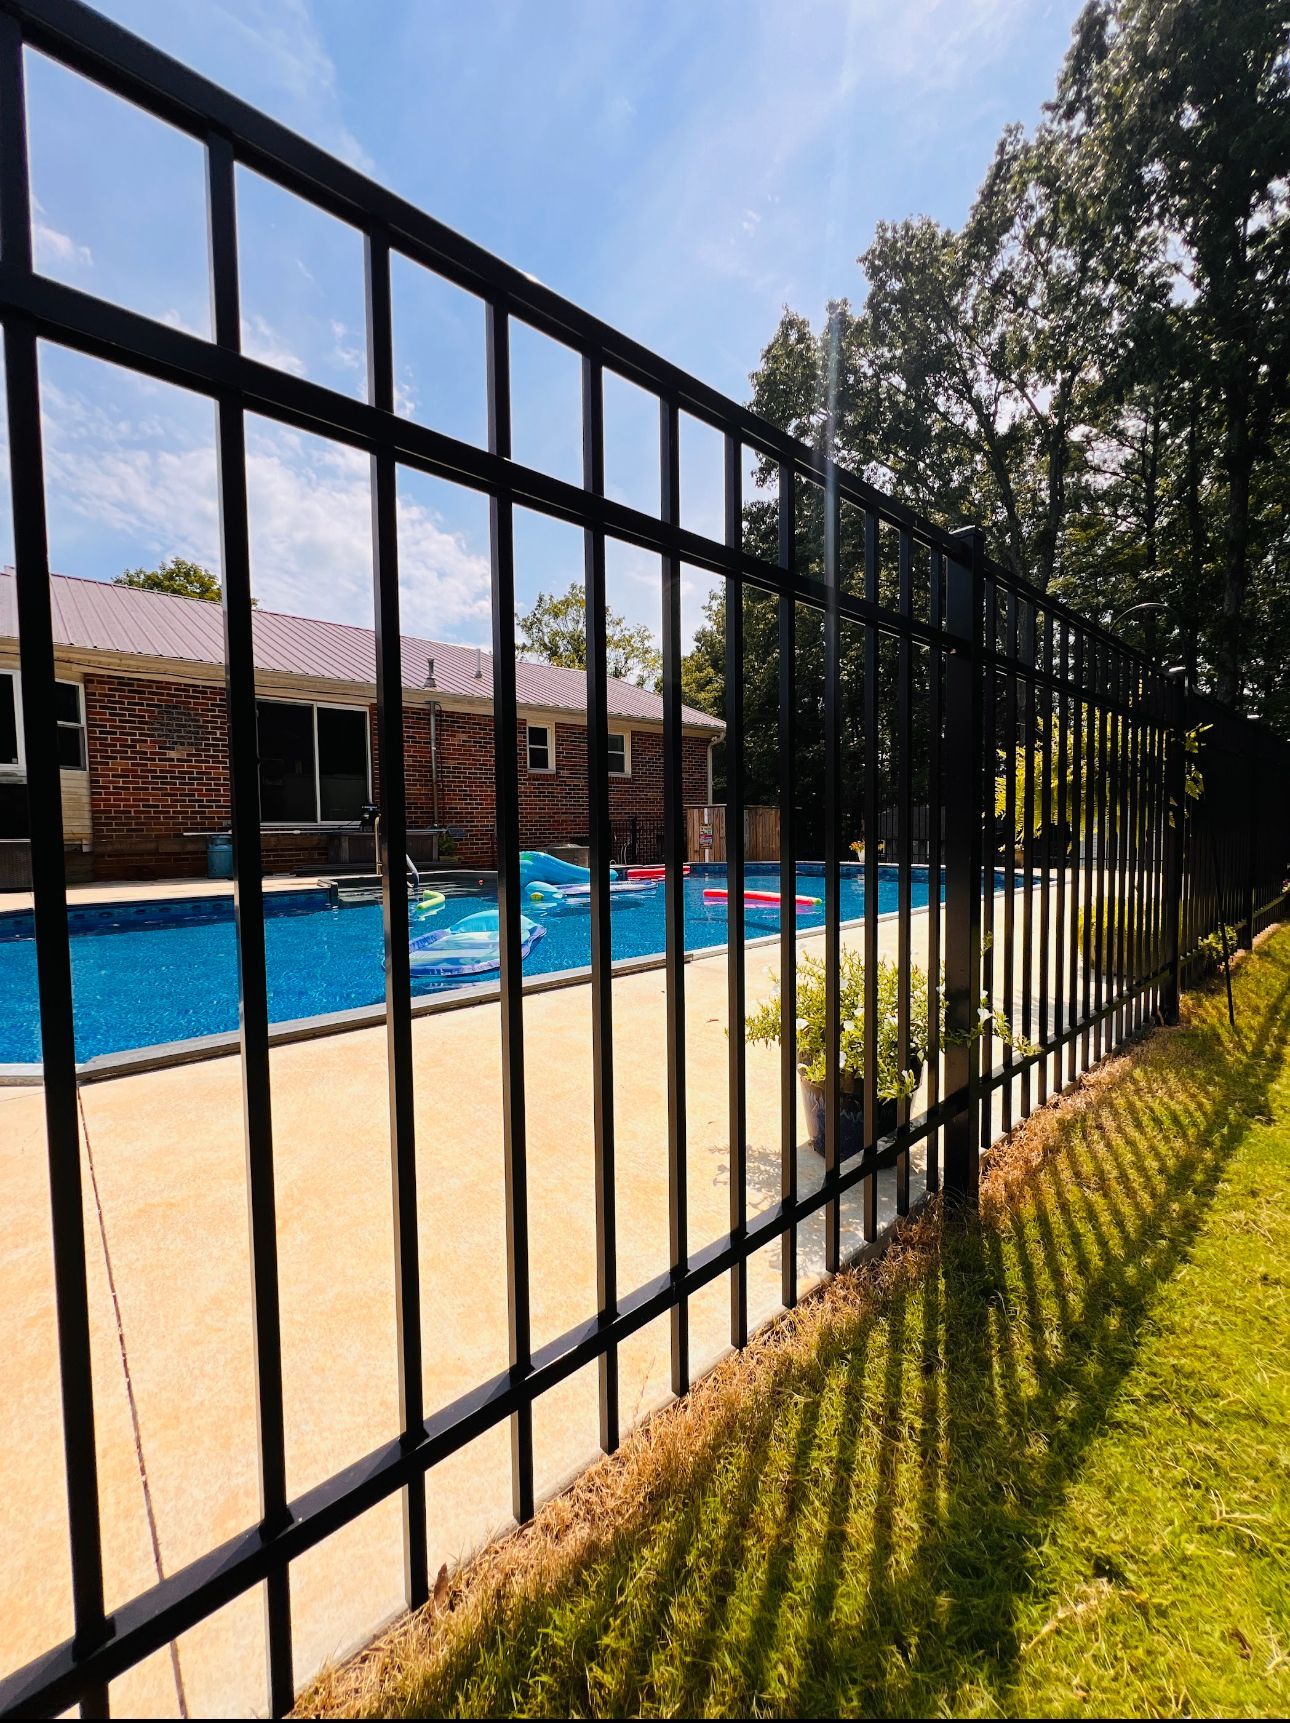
(170, 1288)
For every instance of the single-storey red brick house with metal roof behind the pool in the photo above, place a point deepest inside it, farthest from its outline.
(144, 738)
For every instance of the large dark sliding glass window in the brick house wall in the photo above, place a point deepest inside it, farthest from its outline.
(314, 762)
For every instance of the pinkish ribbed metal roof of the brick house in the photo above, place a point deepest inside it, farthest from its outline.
(97, 616)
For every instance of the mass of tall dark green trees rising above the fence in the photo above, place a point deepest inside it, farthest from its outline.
(1096, 366)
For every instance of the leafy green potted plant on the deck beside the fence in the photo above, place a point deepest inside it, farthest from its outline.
(900, 1067)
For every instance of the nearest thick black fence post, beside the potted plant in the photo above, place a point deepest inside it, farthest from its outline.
(965, 781)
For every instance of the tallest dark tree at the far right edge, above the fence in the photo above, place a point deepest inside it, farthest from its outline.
(1188, 109)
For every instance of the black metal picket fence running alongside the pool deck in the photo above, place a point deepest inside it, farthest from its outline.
(1010, 714)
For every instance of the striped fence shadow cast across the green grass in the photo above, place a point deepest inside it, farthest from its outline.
(864, 1538)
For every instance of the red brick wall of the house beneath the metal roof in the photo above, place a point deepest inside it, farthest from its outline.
(159, 769)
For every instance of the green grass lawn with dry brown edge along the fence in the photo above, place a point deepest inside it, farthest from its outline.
(1034, 1465)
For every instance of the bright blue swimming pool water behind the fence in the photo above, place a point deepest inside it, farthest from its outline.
(156, 973)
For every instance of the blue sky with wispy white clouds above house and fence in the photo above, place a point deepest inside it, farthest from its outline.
(679, 170)
